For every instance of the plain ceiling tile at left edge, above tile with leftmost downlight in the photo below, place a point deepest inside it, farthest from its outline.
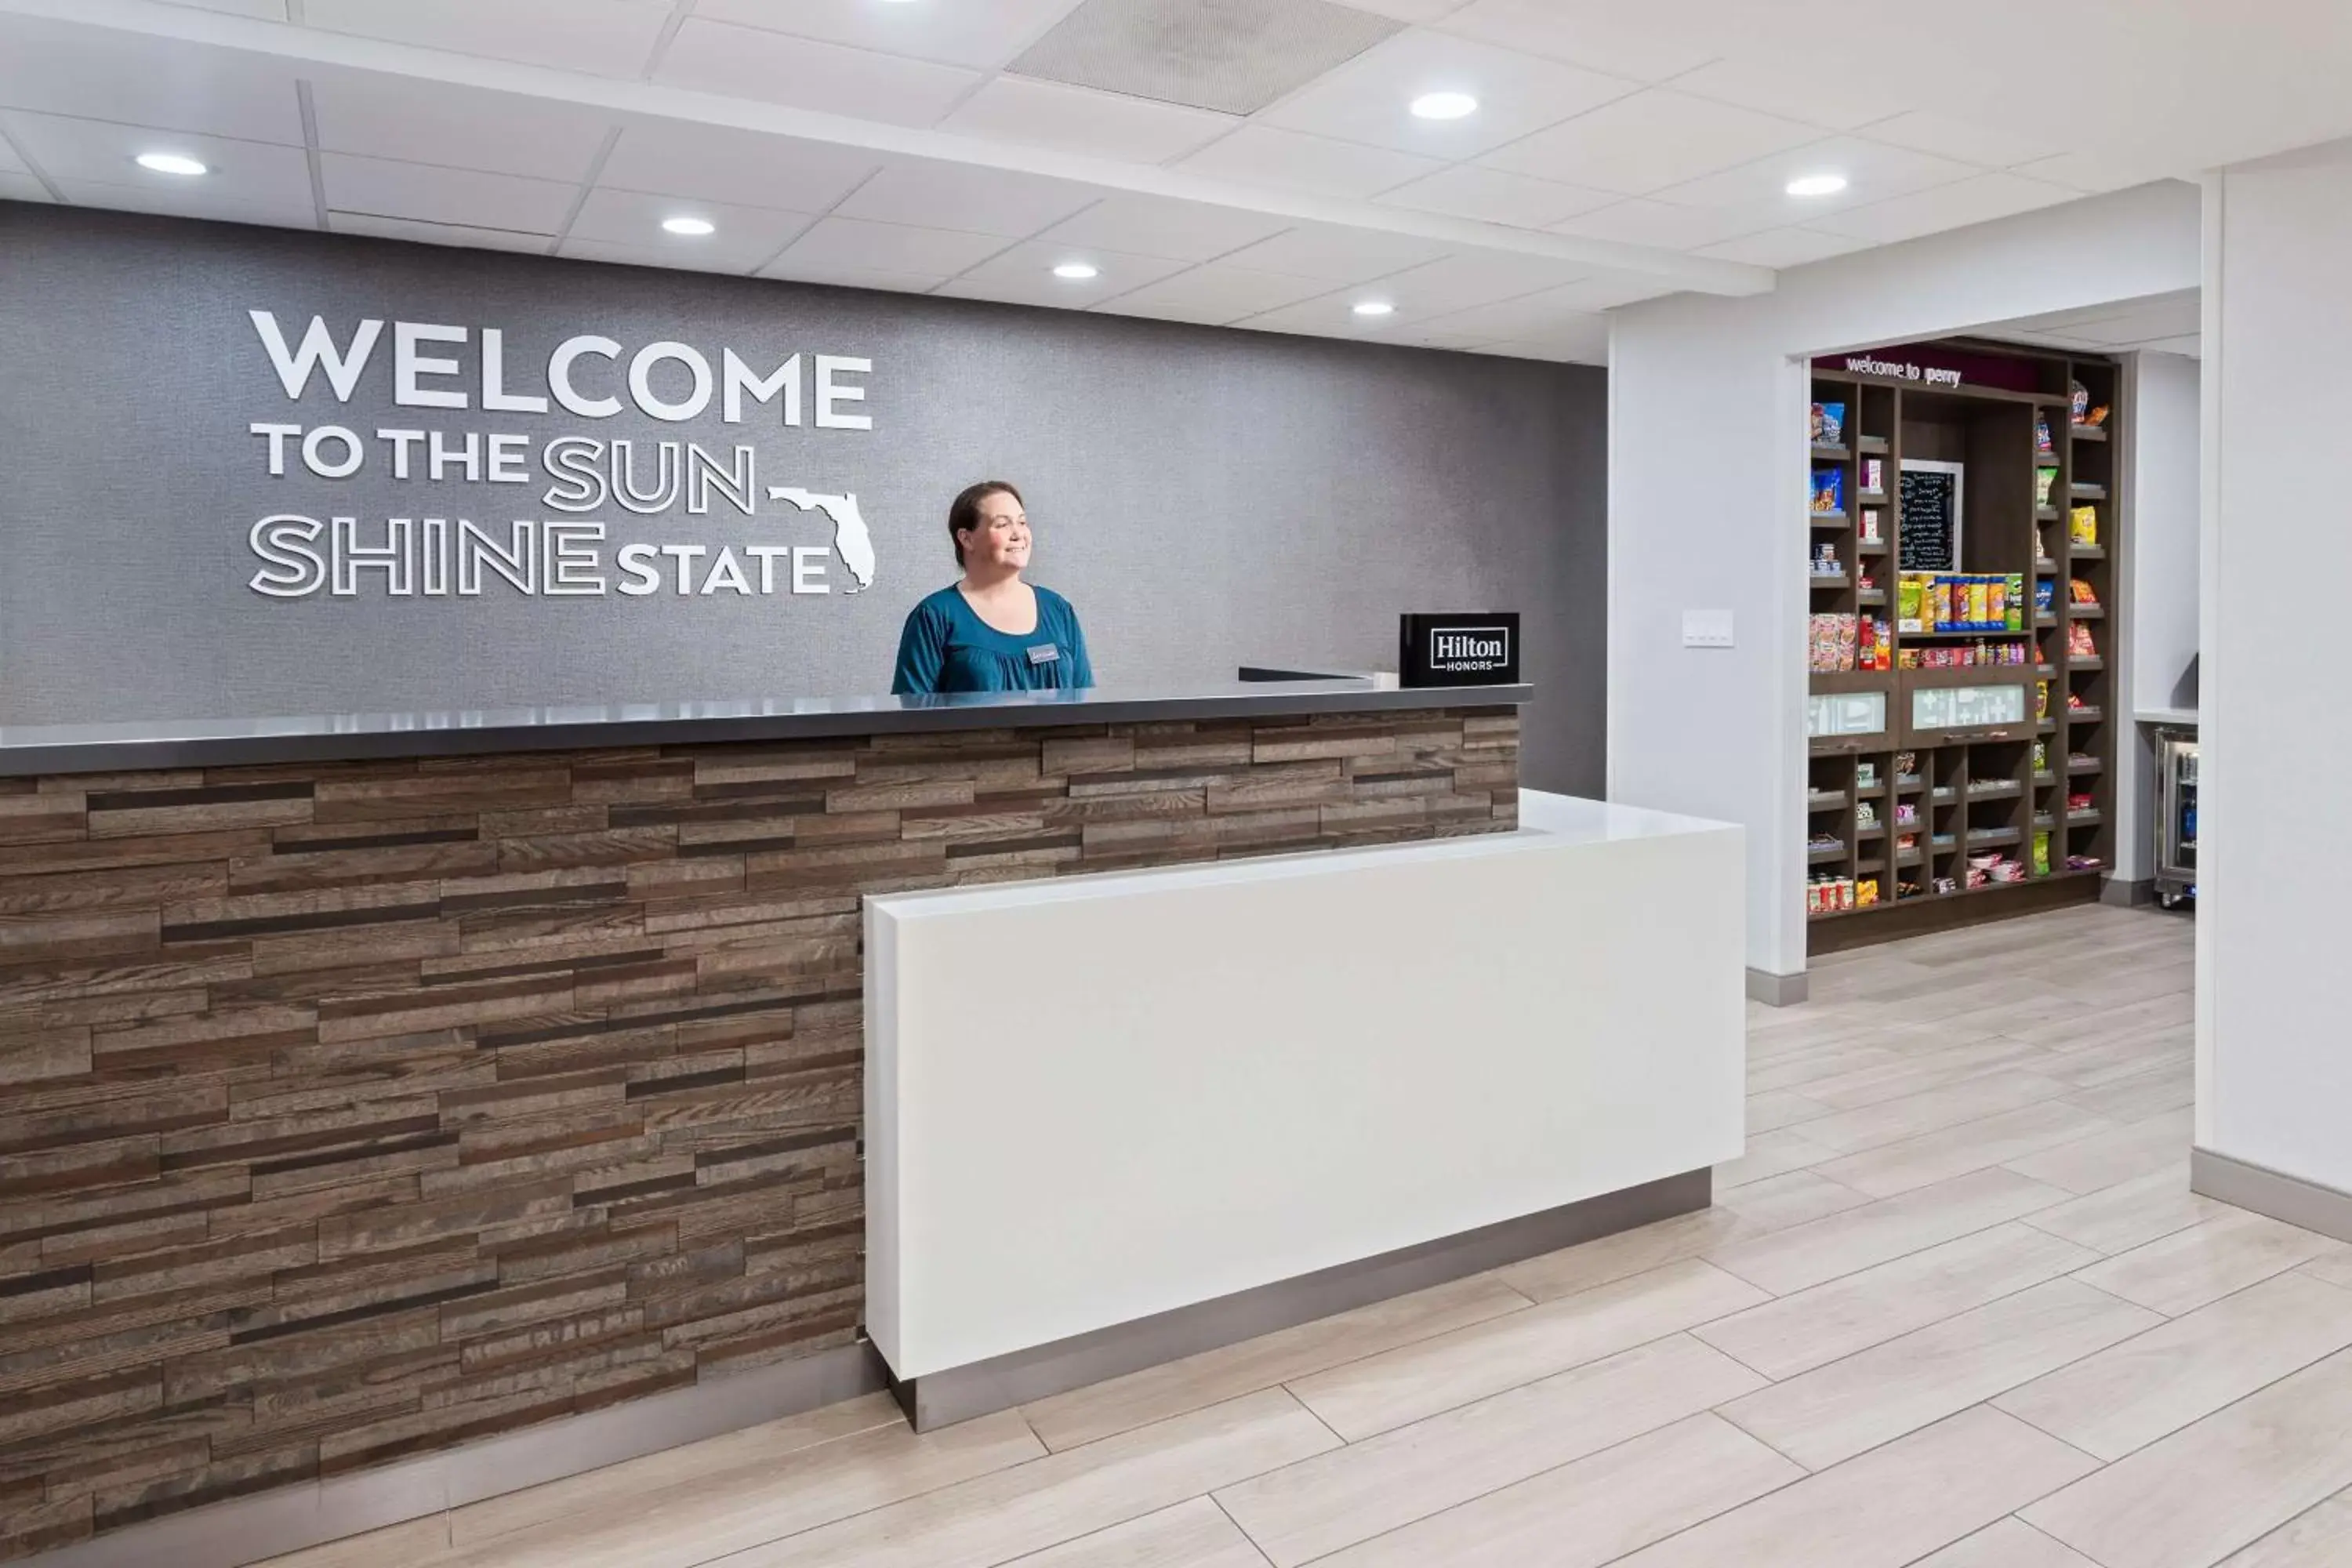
(53, 67)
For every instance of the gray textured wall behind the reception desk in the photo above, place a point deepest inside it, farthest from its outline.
(1203, 497)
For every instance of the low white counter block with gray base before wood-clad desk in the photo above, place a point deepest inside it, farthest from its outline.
(1123, 1118)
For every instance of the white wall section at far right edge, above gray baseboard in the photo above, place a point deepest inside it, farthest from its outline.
(2273, 986)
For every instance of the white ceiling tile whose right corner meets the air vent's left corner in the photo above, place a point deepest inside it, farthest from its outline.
(806, 74)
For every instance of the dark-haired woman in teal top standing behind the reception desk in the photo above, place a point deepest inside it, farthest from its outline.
(991, 631)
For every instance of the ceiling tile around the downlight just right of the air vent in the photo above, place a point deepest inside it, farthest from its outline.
(1368, 100)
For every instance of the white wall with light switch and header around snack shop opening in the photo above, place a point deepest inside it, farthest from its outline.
(1706, 497)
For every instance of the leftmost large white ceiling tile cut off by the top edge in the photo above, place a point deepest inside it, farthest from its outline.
(596, 36)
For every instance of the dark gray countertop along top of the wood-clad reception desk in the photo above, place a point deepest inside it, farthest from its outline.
(128, 749)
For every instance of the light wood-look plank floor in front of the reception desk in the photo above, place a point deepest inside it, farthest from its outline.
(1956, 1308)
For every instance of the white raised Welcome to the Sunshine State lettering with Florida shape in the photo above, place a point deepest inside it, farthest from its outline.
(613, 500)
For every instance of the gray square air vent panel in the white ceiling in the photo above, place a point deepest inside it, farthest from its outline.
(1227, 55)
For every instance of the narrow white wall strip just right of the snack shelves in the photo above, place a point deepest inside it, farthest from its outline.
(2160, 598)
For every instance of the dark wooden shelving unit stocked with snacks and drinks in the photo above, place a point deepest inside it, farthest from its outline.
(1913, 803)
